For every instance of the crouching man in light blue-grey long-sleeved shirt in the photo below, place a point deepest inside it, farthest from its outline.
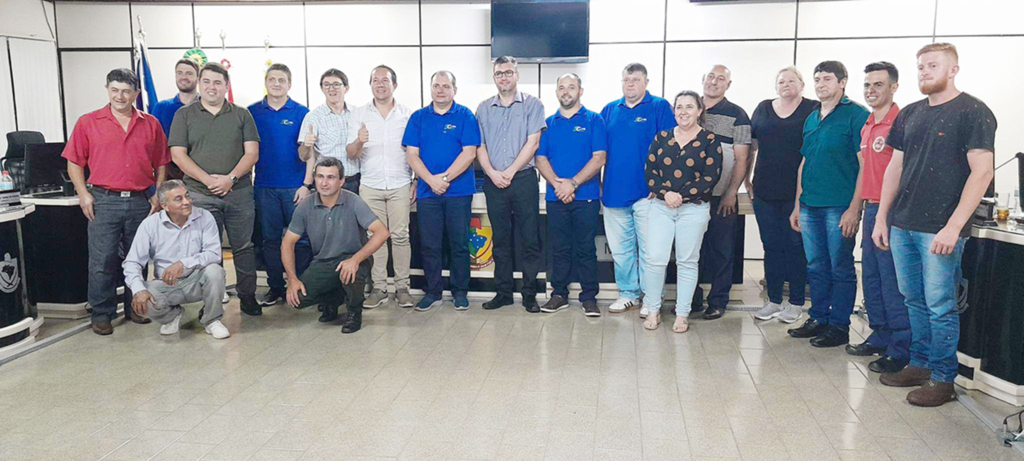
(184, 244)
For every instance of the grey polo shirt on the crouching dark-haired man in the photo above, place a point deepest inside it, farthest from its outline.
(336, 232)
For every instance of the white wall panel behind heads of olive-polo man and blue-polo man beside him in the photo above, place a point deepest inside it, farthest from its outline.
(249, 71)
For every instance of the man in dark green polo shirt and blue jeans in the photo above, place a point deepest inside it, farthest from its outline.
(828, 211)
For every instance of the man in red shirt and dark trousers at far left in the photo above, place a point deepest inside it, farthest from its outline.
(126, 153)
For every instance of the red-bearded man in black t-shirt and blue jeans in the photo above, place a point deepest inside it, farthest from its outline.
(942, 167)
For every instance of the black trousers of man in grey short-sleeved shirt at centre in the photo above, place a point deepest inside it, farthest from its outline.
(519, 203)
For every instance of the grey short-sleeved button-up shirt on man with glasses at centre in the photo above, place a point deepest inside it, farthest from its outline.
(504, 131)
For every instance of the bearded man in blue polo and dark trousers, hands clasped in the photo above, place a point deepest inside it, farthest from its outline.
(571, 156)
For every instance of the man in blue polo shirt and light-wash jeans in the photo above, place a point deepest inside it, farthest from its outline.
(632, 123)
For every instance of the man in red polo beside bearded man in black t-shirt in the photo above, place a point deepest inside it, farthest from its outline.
(887, 314)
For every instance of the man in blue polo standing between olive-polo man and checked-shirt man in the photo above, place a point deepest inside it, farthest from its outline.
(281, 177)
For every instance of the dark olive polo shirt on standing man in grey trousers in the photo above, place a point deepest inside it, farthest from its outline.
(215, 142)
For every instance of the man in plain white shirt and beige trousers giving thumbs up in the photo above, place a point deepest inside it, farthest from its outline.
(375, 132)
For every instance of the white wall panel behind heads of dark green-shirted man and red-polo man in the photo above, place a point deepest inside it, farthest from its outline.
(858, 54)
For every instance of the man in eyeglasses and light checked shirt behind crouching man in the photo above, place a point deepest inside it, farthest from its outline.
(325, 130)
